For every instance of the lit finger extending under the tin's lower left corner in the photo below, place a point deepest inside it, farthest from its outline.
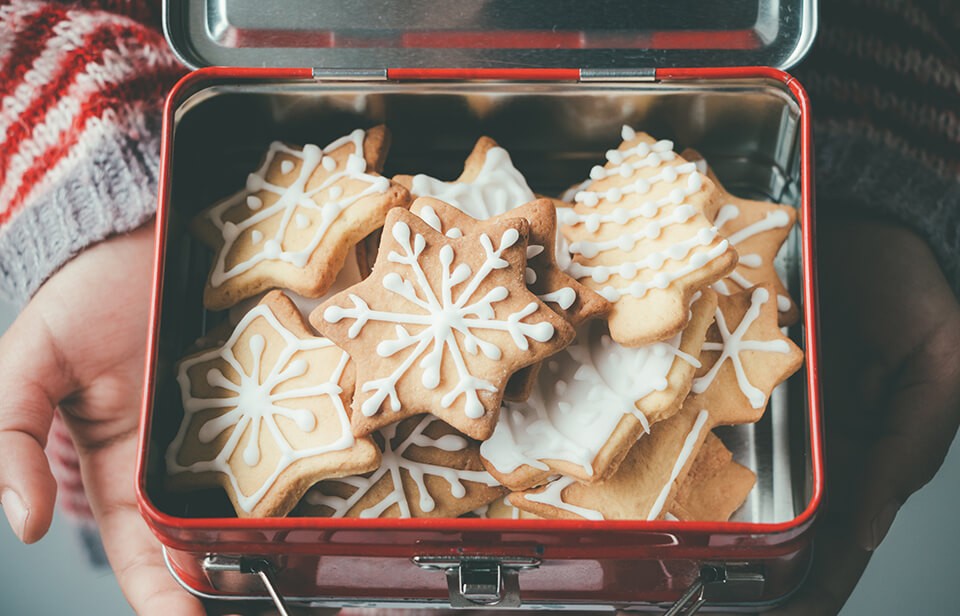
(133, 551)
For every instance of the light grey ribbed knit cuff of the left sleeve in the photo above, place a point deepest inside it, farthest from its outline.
(108, 186)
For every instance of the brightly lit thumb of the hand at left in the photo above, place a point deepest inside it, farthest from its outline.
(32, 381)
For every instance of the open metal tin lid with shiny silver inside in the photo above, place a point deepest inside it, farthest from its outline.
(591, 34)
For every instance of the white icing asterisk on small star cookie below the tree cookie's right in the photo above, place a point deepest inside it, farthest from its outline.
(733, 344)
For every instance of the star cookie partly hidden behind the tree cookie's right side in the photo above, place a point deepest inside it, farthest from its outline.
(757, 230)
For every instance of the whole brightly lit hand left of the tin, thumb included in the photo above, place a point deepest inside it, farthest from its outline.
(79, 346)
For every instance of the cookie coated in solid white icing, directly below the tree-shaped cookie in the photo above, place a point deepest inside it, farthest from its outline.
(592, 401)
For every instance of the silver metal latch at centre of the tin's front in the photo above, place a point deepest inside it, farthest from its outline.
(480, 581)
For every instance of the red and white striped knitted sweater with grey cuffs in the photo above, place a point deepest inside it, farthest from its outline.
(82, 84)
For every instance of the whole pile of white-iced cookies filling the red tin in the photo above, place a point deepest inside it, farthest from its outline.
(493, 353)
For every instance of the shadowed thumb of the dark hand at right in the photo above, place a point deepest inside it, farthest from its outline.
(916, 433)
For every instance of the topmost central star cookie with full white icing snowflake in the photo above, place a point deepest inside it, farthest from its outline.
(441, 324)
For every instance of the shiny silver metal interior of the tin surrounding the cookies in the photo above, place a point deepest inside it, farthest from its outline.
(555, 132)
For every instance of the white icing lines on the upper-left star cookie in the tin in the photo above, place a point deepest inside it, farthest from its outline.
(291, 203)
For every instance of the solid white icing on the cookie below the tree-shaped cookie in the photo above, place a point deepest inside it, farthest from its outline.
(578, 401)
